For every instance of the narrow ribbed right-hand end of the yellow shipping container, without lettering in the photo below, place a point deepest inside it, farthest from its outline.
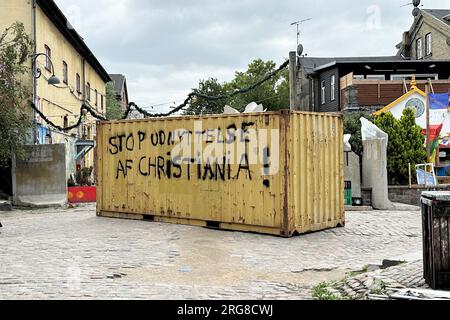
(316, 171)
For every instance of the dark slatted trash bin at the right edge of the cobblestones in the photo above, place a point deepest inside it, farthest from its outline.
(436, 235)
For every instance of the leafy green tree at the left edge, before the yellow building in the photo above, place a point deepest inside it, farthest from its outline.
(15, 118)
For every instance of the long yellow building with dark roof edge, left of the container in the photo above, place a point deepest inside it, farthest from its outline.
(83, 79)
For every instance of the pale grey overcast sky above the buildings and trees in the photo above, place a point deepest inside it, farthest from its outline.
(165, 47)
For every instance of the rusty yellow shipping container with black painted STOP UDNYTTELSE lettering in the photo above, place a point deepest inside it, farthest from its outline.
(277, 173)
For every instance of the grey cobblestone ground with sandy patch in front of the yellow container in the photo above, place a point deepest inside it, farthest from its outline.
(72, 254)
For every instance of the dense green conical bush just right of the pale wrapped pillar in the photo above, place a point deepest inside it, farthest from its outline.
(406, 144)
